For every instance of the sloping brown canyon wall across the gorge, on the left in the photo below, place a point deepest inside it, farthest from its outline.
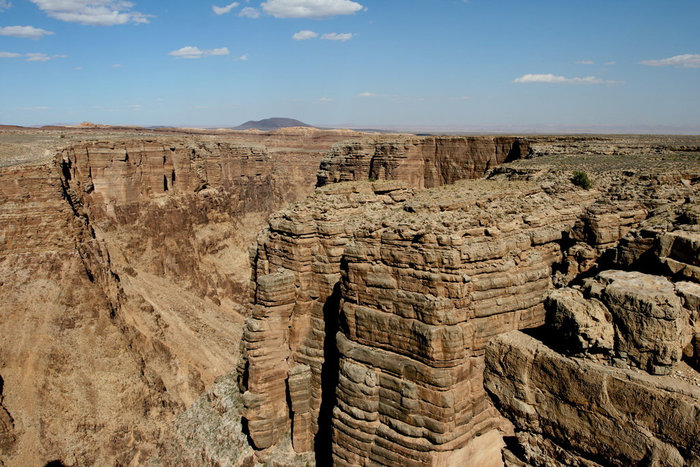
(123, 282)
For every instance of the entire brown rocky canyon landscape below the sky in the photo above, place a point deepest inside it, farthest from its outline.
(305, 296)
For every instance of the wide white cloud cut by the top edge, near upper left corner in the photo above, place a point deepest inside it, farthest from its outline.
(92, 12)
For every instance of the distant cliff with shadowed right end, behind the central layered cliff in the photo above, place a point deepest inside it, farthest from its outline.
(422, 162)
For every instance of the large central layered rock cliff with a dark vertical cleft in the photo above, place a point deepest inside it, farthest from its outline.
(416, 284)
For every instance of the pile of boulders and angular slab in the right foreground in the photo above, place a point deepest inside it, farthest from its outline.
(613, 377)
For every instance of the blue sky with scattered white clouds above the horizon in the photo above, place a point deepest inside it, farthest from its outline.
(510, 65)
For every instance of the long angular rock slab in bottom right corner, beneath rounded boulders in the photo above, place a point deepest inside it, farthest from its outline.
(570, 411)
